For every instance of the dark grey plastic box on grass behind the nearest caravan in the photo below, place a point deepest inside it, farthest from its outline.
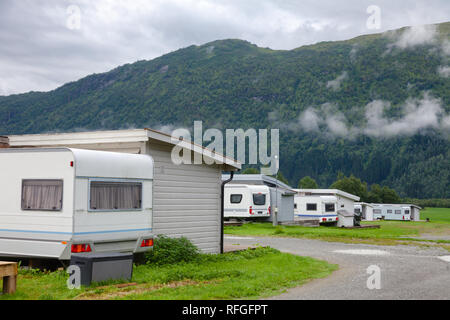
(97, 267)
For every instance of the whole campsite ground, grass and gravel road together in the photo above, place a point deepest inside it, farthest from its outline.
(416, 269)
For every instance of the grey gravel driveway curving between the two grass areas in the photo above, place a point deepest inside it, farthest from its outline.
(407, 272)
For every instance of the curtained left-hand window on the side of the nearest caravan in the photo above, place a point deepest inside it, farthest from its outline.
(42, 195)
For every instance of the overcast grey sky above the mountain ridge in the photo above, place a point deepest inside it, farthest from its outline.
(45, 44)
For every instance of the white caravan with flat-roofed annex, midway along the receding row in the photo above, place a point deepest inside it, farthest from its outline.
(322, 204)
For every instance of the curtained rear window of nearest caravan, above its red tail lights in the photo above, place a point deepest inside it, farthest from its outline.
(109, 196)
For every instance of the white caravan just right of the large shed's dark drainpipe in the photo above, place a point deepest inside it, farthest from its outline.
(247, 201)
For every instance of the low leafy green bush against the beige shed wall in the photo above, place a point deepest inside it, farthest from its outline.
(171, 251)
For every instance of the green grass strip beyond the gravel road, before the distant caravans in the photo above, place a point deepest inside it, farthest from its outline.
(390, 232)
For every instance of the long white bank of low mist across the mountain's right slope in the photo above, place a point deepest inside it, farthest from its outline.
(415, 115)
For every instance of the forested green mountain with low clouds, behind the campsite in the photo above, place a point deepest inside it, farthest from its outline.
(374, 106)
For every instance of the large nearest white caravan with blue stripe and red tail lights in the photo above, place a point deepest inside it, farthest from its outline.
(55, 202)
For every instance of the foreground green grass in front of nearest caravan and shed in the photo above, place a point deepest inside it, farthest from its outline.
(248, 274)
